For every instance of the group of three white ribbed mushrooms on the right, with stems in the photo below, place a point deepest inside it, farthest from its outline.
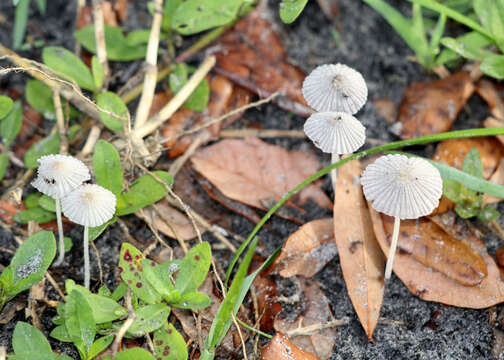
(396, 185)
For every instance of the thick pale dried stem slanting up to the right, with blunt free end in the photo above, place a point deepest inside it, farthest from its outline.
(176, 102)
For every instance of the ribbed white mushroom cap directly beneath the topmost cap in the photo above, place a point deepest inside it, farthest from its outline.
(335, 132)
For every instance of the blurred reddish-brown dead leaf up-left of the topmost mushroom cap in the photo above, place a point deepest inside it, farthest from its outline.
(252, 55)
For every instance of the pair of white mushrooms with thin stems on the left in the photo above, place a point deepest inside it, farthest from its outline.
(63, 178)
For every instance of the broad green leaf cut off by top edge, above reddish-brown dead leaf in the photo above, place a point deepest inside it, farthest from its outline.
(193, 16)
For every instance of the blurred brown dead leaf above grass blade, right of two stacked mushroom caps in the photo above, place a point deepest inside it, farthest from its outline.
(431, 107)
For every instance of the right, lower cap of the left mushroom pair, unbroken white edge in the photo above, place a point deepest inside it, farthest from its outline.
(89, 205)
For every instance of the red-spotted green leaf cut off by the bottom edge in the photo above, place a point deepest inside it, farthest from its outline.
(169, 344)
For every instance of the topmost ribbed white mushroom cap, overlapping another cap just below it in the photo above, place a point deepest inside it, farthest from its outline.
(335, 88)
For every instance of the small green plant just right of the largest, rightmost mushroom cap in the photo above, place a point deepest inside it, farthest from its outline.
(469, 202)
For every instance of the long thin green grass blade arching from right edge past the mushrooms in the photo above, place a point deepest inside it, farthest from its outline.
(387, 147)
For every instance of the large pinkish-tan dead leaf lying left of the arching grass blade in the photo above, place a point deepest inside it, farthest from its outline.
(256, 173)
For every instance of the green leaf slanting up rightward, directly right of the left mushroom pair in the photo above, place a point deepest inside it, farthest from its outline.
(144, 191)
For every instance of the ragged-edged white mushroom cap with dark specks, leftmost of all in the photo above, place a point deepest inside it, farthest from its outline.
(58, 175)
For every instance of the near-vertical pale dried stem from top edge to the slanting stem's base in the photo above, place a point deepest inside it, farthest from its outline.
(149, 84)
